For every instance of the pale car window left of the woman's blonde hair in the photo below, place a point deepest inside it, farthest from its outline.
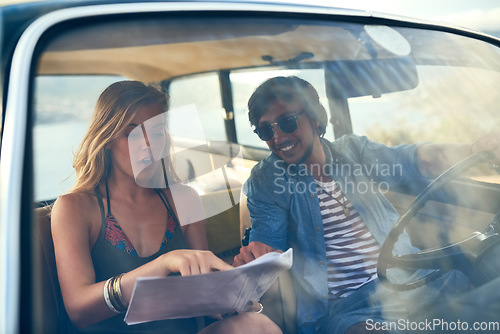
(63, 107)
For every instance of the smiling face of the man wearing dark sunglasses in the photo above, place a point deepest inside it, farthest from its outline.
(295, 147)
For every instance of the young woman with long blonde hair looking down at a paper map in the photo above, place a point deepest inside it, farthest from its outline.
(120, 221)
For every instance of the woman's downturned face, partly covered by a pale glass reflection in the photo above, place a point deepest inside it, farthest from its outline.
(139, 149)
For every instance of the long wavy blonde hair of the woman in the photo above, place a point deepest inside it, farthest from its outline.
(116, 107)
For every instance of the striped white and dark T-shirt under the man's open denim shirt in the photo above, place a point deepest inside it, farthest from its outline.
(351, 250)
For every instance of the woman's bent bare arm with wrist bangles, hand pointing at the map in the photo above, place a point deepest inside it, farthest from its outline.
(72, 227)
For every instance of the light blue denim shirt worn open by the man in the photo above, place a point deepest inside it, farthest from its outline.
(285, 212)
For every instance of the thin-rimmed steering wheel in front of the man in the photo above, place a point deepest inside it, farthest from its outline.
(432, 259)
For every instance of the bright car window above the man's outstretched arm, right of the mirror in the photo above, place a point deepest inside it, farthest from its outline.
(450, 104)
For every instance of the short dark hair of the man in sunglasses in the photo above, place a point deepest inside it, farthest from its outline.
(288, 89)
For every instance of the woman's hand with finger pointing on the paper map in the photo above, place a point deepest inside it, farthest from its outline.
(192, 262)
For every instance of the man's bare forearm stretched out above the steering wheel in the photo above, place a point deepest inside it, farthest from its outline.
(434, 159)
